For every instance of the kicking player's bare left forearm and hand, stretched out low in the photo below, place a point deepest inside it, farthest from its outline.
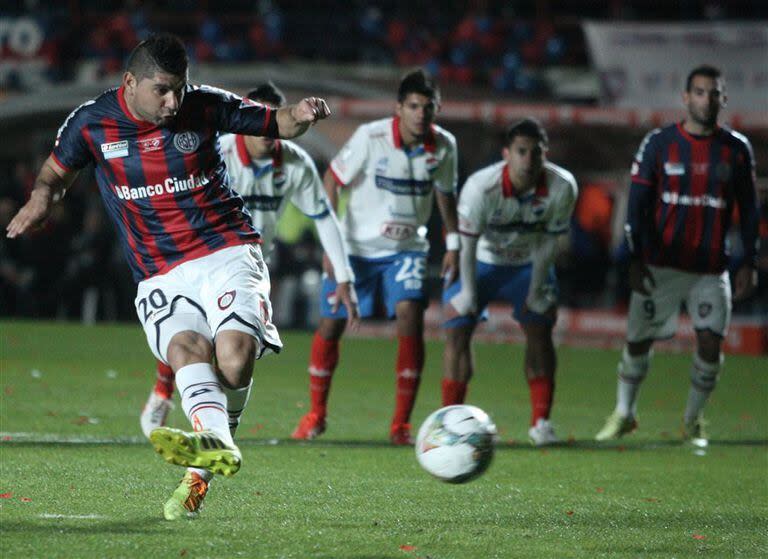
(50, 185)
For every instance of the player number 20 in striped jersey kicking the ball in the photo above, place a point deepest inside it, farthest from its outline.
(203, 288)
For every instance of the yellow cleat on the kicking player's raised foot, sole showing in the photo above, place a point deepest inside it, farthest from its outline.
(203, 449)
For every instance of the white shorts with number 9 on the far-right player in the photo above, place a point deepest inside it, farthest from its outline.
(707, 298)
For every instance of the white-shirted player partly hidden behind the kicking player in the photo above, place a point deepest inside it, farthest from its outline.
(267, 173)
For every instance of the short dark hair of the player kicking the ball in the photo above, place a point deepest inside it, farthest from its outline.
(162, 52)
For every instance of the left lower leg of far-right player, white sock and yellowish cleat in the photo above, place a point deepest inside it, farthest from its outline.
(632, 370)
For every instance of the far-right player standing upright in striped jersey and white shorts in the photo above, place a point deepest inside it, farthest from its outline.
(686, 179)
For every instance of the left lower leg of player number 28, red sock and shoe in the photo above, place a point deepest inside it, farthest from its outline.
(322, 364)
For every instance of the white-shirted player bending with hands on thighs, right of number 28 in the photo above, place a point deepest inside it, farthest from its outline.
(511, 215)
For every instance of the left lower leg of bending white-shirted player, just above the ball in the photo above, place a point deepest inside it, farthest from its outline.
(458, 363)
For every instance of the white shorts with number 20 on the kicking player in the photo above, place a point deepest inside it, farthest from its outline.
(225, 290)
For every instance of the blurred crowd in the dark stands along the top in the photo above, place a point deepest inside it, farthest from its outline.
(492, 43)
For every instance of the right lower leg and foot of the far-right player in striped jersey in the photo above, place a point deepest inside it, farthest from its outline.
(707, 362)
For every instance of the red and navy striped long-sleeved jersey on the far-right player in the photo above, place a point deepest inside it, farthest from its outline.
(683, 192)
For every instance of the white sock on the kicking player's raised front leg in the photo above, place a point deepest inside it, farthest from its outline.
(203, 400)
